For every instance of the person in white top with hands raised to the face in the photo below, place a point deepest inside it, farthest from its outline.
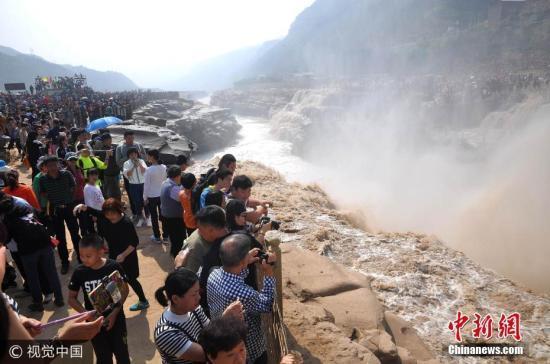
(134, 170)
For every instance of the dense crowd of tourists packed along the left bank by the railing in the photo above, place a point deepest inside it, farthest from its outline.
(102, 194)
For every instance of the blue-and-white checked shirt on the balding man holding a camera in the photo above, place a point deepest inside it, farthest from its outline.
(224, 288)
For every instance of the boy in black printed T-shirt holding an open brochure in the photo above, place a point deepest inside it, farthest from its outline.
(112, 339)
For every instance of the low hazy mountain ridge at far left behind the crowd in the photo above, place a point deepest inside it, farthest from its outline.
(20, 67)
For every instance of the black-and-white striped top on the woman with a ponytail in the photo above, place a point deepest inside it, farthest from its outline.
(174, 334)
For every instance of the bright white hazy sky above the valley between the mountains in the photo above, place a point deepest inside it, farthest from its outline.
(150, 41)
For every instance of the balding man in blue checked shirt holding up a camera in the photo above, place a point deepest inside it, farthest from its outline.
(227, 284)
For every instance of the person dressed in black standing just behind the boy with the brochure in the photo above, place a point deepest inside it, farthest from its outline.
(122, 240)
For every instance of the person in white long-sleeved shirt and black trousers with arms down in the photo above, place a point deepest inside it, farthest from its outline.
(154, 176)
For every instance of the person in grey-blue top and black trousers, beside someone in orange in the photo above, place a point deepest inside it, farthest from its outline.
(171, 209)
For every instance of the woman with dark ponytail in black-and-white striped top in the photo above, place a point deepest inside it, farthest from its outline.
(177, 331)
